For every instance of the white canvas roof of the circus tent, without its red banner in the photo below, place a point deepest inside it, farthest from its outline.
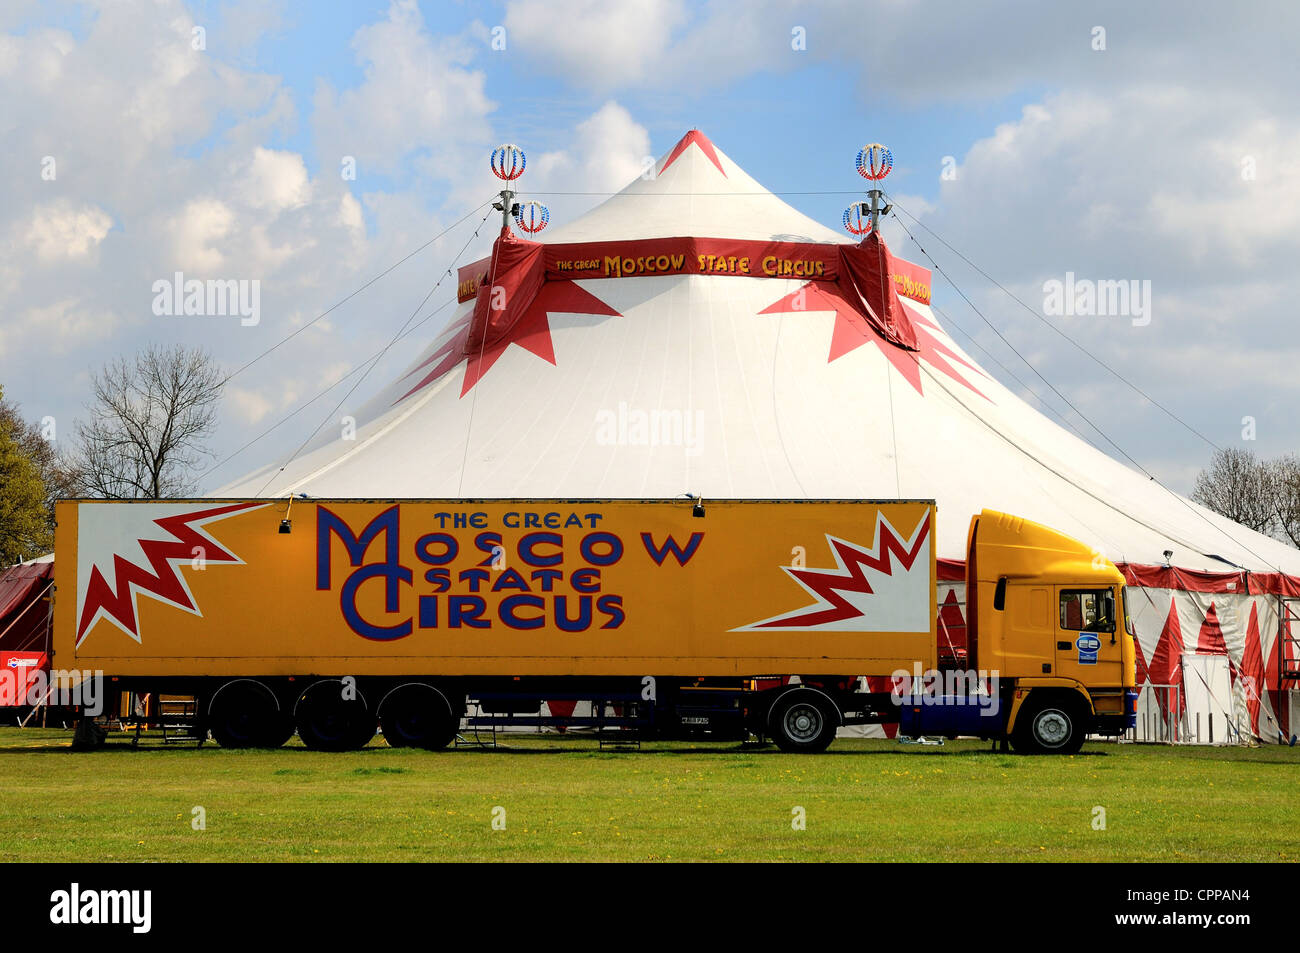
(696, 385)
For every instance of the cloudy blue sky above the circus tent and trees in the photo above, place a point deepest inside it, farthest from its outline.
(1154, 142)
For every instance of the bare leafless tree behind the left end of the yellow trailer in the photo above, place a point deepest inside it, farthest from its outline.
(149, 421)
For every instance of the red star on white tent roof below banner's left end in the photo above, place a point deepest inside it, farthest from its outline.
(532, 332)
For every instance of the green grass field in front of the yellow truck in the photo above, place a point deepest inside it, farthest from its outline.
(566, 800)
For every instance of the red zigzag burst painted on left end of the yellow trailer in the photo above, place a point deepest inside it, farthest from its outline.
(162, 581)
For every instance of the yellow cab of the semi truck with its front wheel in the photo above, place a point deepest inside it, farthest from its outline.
(1050, 617)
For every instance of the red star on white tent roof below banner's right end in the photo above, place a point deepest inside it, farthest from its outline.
(852, 332)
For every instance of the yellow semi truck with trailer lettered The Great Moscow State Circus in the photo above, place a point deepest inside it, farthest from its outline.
(783, 620)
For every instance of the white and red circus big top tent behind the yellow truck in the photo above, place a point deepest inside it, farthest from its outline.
(695, 335)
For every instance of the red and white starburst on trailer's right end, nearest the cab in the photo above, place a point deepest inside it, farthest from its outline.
(870, 590)
